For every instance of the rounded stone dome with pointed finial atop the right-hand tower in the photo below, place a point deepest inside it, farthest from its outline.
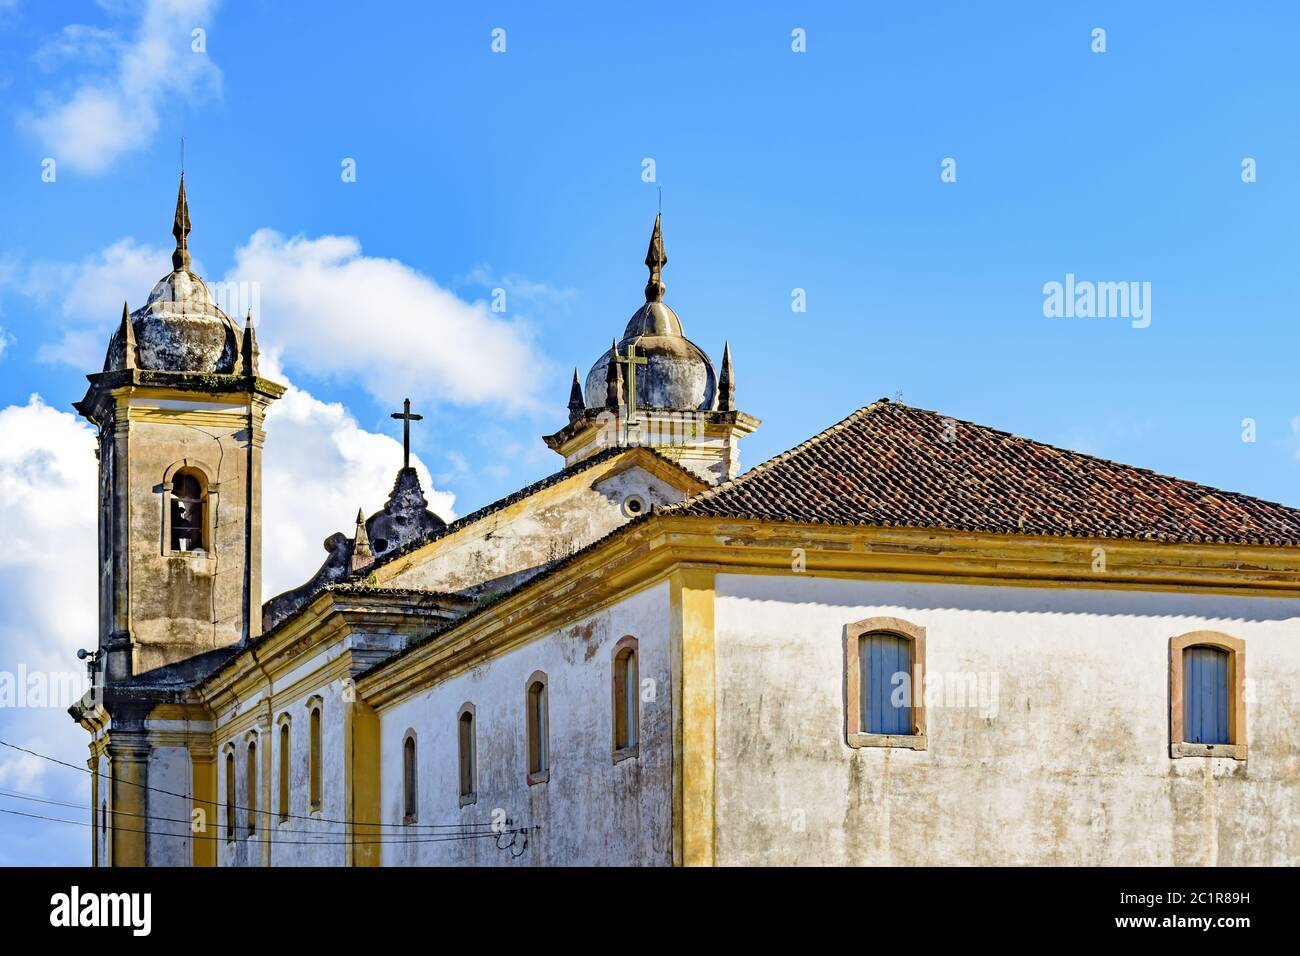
(678, 374)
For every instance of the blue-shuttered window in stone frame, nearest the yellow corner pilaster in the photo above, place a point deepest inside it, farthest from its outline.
(885, 668)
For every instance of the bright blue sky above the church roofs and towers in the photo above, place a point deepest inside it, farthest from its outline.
(781, 171)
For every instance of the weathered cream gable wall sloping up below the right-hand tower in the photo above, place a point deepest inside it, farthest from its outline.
(509, 547)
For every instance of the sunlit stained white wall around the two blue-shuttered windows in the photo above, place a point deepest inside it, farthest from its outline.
(1073, 768)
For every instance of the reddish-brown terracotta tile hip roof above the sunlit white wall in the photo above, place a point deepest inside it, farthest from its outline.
(890, 465)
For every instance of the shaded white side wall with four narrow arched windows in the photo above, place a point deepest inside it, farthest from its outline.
(592, 811)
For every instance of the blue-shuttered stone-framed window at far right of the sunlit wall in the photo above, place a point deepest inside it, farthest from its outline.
(1207, 681)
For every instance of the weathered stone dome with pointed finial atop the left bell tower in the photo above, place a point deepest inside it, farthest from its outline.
(180, 327)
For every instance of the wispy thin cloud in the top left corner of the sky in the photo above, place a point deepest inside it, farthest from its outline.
(115, 109)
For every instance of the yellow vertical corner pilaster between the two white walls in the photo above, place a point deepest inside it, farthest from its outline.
(694, 657)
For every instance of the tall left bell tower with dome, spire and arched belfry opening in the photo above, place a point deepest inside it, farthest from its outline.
(180, 409)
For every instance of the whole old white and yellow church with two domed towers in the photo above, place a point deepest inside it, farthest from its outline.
(908, 641)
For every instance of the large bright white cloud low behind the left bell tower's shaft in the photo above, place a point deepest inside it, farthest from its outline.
(319, 468)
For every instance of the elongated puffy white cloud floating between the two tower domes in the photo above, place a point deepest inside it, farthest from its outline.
(384, 325)
